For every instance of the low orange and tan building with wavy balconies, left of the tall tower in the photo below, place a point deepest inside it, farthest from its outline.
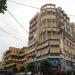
(15, 57)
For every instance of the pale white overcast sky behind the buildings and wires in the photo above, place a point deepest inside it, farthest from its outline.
(12, 34)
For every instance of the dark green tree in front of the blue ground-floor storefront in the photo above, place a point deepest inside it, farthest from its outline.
(45, 67)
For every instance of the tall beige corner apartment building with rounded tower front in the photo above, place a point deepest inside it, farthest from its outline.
(51, 37)
